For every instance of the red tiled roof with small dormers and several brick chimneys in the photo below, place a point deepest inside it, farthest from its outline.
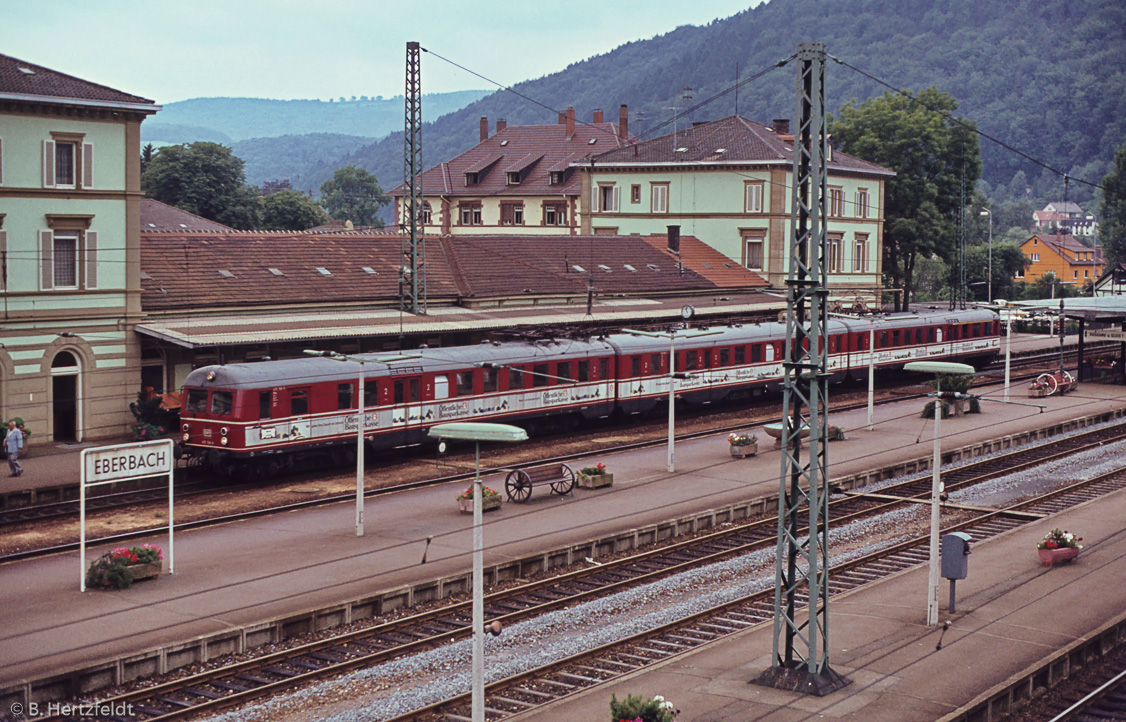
(520, 146)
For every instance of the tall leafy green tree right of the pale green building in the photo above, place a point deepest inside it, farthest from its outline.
(932, 156)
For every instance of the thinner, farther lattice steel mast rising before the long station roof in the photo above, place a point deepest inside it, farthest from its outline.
(413, 271)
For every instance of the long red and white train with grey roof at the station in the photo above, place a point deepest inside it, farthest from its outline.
(254, 417)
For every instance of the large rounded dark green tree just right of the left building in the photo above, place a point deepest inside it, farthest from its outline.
(203, 179)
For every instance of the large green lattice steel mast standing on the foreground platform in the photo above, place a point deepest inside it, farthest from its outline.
(801, 646)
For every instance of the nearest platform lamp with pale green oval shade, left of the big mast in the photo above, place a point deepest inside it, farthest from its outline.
(477, 433)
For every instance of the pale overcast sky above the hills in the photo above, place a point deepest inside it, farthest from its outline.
(167, 50)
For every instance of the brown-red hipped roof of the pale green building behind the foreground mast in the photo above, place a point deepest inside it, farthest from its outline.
(731, 140)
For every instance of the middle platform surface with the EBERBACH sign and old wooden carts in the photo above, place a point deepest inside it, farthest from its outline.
(234, 581)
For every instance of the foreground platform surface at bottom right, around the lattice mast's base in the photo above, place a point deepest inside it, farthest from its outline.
(1012, 614)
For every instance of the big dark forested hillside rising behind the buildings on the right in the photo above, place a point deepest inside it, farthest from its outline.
(1048, 77)
